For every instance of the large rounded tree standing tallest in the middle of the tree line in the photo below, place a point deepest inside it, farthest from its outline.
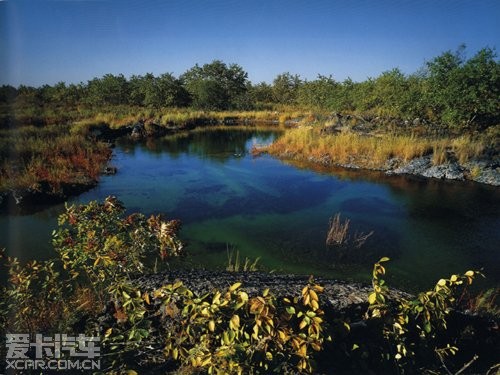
(215, 86)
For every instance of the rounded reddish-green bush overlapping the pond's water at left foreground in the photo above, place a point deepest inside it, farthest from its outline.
(97, 241)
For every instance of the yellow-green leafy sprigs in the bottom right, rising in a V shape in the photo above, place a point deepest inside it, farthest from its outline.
(411, 327)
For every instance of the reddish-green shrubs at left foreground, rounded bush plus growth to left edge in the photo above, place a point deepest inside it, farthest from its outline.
(99, 250)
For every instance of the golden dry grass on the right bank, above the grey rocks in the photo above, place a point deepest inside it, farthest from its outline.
(373, 151)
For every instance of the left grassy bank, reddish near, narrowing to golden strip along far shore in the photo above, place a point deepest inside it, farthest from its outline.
(56, 147)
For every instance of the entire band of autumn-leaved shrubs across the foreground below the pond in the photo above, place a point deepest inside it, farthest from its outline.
(102, 251)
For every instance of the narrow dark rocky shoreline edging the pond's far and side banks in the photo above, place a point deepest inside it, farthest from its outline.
(18, 200)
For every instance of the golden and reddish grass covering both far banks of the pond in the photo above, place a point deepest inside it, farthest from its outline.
(60, 149)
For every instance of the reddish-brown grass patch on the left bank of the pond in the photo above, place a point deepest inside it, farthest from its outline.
(51, 155)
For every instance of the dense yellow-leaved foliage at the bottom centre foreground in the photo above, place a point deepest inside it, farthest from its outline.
(230, 333)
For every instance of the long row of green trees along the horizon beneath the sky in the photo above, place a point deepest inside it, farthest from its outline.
(449, 90)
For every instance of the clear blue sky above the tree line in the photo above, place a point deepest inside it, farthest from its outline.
(76, 40)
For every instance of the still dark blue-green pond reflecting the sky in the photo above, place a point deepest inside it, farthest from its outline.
(229, 200)
